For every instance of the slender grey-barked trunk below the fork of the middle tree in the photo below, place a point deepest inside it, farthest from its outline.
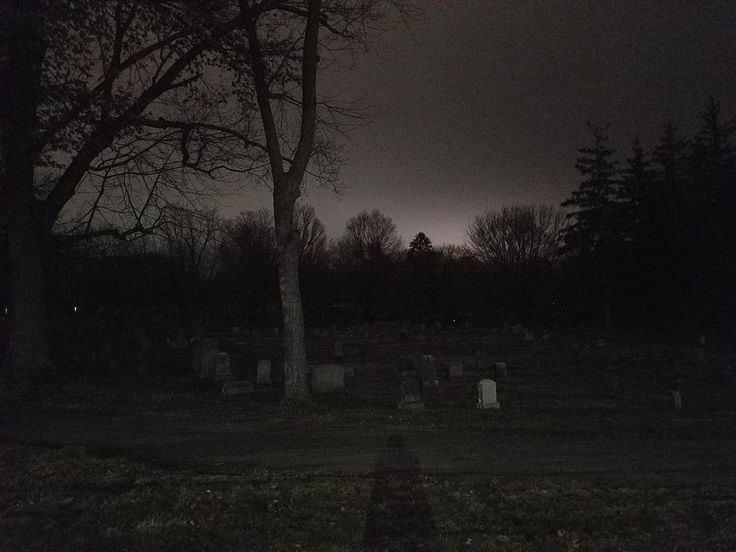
(296, 389)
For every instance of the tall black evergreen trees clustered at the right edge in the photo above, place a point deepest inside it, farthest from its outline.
(651, 238)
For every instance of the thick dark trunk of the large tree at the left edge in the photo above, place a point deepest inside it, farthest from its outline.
(27, 356)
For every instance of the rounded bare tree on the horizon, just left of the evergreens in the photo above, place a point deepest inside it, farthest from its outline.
(518, 237)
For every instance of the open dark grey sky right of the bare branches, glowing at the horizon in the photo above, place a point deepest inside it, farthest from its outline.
(484, 104)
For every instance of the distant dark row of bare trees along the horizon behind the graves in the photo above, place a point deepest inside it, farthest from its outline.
(202, 261)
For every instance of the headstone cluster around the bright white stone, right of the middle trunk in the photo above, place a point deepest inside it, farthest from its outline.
(415, 380)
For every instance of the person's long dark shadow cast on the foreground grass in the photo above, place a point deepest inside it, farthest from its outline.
(399, 517)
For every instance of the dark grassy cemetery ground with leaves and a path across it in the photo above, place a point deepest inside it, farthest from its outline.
(587, 452)
